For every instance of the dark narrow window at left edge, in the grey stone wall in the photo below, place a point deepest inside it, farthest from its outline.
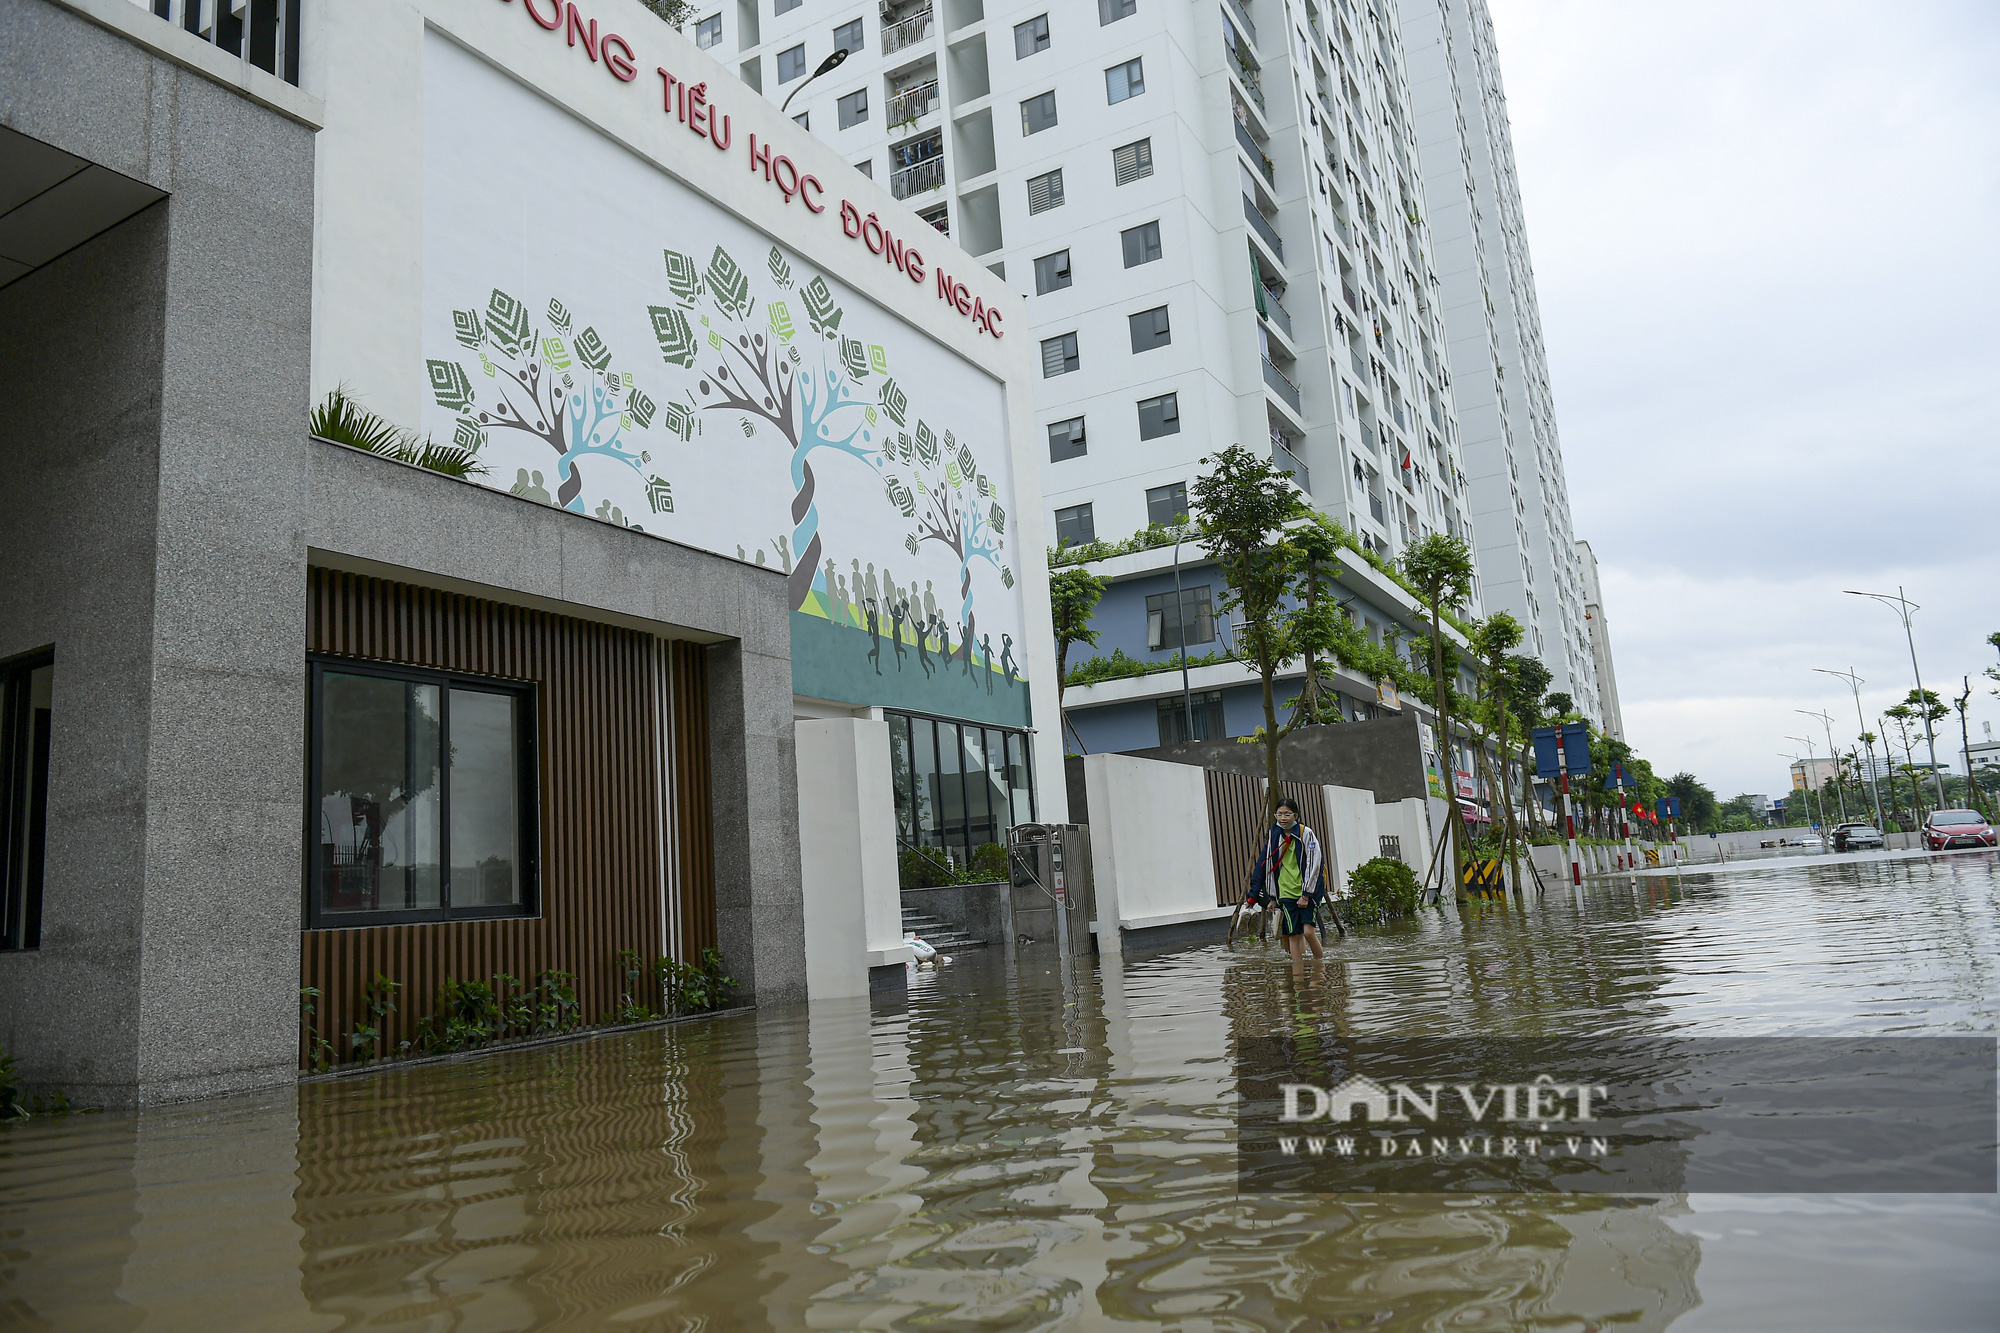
(27, 688)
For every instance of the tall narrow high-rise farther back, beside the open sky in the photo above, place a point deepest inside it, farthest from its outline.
(1519, 499)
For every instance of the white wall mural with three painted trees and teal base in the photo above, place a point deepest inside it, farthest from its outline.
(609, 341)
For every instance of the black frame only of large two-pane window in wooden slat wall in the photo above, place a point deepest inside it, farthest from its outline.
(529, 792)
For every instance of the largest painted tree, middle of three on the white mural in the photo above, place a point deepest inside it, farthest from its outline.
(761, 373)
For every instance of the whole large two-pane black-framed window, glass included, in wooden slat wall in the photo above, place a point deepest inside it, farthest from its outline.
(423, 798)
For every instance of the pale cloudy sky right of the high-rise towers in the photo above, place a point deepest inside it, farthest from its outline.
(1765, 239)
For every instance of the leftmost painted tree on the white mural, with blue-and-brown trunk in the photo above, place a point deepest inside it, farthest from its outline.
(557, 387)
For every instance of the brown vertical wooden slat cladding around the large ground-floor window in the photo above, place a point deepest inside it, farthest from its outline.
(599, 800)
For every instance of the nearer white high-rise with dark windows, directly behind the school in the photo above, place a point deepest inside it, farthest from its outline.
(1215, 211)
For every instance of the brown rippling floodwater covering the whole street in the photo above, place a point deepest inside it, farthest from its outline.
(1037, 1150)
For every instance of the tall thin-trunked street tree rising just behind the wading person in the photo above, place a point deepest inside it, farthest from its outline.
(1243, 507)
